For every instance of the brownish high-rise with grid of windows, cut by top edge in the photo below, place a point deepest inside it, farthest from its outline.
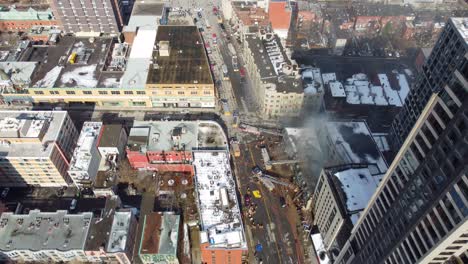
(91, 16)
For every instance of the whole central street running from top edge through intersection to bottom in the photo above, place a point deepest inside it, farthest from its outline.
(271, 226)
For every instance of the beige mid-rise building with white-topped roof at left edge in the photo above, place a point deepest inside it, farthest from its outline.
(35, 148)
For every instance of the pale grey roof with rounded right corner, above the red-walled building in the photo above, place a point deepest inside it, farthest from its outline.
(175, 135)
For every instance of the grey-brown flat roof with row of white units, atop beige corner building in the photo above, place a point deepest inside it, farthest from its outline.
(272, 61)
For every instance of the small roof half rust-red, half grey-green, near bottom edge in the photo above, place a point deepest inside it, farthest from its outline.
(160, 233)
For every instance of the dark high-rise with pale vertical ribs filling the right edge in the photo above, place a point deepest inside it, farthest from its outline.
(419, 213)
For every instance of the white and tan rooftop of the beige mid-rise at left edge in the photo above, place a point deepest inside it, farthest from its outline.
(44, 126)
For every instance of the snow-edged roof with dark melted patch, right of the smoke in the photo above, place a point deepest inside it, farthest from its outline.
(355, 144)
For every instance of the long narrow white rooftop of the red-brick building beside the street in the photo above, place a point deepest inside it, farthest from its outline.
(221, 221)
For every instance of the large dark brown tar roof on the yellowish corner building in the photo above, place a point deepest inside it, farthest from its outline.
(187, 62)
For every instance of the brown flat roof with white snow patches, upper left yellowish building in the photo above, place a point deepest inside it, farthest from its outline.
(56, 70)
